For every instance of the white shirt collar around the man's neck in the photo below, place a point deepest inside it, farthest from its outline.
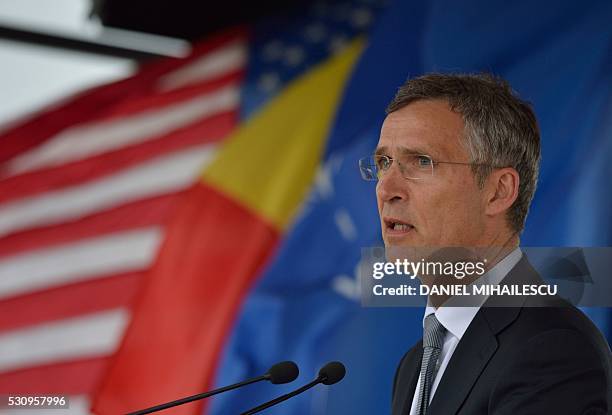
(457, 319)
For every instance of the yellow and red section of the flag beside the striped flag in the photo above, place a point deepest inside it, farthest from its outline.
(228, 226)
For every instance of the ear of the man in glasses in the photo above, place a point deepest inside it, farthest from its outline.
(501, 190)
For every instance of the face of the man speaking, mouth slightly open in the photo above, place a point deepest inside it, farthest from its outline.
(446, 209)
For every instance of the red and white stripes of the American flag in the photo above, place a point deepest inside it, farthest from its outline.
(84, 202)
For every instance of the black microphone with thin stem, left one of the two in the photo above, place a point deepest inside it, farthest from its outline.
(283, 372)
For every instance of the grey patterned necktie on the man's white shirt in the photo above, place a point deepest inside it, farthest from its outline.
(433, 339)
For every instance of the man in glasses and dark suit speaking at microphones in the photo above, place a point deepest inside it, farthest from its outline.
(457, 165)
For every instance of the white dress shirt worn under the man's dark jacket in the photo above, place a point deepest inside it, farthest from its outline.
(456, 320)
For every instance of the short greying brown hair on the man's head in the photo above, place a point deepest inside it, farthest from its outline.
(500, 129)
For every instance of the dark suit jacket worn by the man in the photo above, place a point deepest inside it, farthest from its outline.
(518, 360)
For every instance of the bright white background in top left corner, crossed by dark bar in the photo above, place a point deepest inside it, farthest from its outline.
(31, 76)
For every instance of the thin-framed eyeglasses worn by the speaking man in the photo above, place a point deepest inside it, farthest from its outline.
(412, 166)
